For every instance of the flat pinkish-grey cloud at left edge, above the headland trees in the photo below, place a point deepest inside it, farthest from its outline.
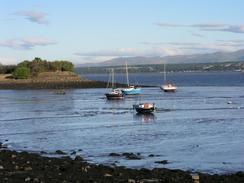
(27, 43)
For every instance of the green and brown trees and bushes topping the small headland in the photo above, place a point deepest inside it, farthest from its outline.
(32, 68)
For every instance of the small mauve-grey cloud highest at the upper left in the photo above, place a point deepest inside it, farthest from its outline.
(32, 16)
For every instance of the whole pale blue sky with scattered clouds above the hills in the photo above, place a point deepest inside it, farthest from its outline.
(85, 31)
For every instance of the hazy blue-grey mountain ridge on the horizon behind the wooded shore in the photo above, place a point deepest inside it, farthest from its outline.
(195, 58)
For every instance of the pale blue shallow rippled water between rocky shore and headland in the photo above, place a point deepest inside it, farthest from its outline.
(198, 128)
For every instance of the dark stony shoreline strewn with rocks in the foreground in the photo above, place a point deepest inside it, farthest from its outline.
(30, 167)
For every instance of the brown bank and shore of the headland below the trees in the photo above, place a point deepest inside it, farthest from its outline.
(51, 80)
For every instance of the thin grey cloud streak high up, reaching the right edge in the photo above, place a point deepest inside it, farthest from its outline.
(208, 27)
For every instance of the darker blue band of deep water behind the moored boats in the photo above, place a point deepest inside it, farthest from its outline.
(180, 79)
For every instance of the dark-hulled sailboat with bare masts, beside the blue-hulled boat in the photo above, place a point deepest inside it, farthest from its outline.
(114, 94)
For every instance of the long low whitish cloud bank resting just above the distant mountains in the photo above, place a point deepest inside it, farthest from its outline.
(152, 49)
